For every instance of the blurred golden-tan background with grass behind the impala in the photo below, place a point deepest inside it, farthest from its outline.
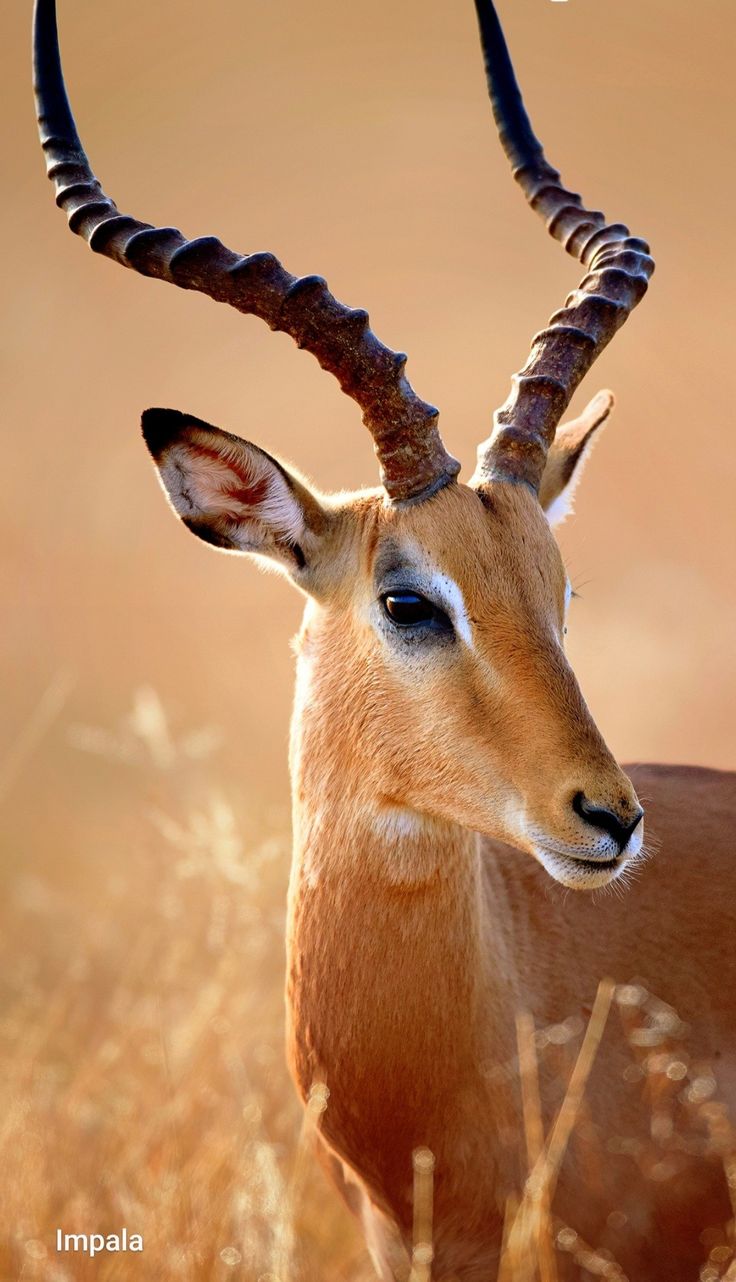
(147, 683)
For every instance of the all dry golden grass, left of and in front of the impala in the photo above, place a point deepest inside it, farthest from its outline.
(142, 1045)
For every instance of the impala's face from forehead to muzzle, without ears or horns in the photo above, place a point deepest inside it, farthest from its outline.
(480, 719)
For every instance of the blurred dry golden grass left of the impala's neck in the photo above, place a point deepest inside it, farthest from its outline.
(142, 1042)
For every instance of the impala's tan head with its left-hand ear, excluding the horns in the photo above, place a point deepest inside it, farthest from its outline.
(439, 688)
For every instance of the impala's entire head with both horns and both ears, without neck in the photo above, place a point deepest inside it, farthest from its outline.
(434, 642)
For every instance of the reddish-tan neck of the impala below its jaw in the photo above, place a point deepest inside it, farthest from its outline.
(393, 954)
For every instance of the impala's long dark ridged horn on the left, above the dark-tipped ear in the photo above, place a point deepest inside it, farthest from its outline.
(405, 429)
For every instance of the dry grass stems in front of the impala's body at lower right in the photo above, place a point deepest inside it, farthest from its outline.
(688, 1124)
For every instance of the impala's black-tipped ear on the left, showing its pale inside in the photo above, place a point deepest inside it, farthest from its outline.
(231, 493)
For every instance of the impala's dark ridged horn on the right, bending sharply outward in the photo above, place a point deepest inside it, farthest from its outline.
(619, 270)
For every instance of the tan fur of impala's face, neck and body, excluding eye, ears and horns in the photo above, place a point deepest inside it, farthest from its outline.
(416, 934)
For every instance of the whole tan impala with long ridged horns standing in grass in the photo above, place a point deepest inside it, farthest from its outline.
(446, 769)
